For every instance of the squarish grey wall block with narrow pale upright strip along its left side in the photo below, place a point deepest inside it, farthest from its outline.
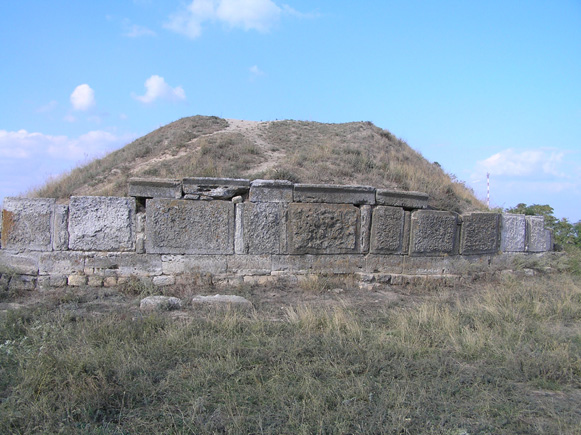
(261, 228)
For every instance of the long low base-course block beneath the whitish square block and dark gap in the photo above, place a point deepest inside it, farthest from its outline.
(124, 264)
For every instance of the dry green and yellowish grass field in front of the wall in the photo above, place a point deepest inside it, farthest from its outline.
(500, 357)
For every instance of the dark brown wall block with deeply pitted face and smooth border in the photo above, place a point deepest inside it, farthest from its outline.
(323, 228)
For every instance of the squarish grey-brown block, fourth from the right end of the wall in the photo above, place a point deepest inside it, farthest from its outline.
(433, 233)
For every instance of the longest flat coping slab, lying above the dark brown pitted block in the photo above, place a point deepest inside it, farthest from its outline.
(334, 194)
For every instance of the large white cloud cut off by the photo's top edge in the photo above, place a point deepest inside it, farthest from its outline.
(258, 15)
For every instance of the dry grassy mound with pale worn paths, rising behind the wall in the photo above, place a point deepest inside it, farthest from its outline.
(300, 151)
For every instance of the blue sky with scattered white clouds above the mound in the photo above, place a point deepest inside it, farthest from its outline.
(488, 86)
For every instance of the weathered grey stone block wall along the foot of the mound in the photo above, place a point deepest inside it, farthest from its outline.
(172, 231)
